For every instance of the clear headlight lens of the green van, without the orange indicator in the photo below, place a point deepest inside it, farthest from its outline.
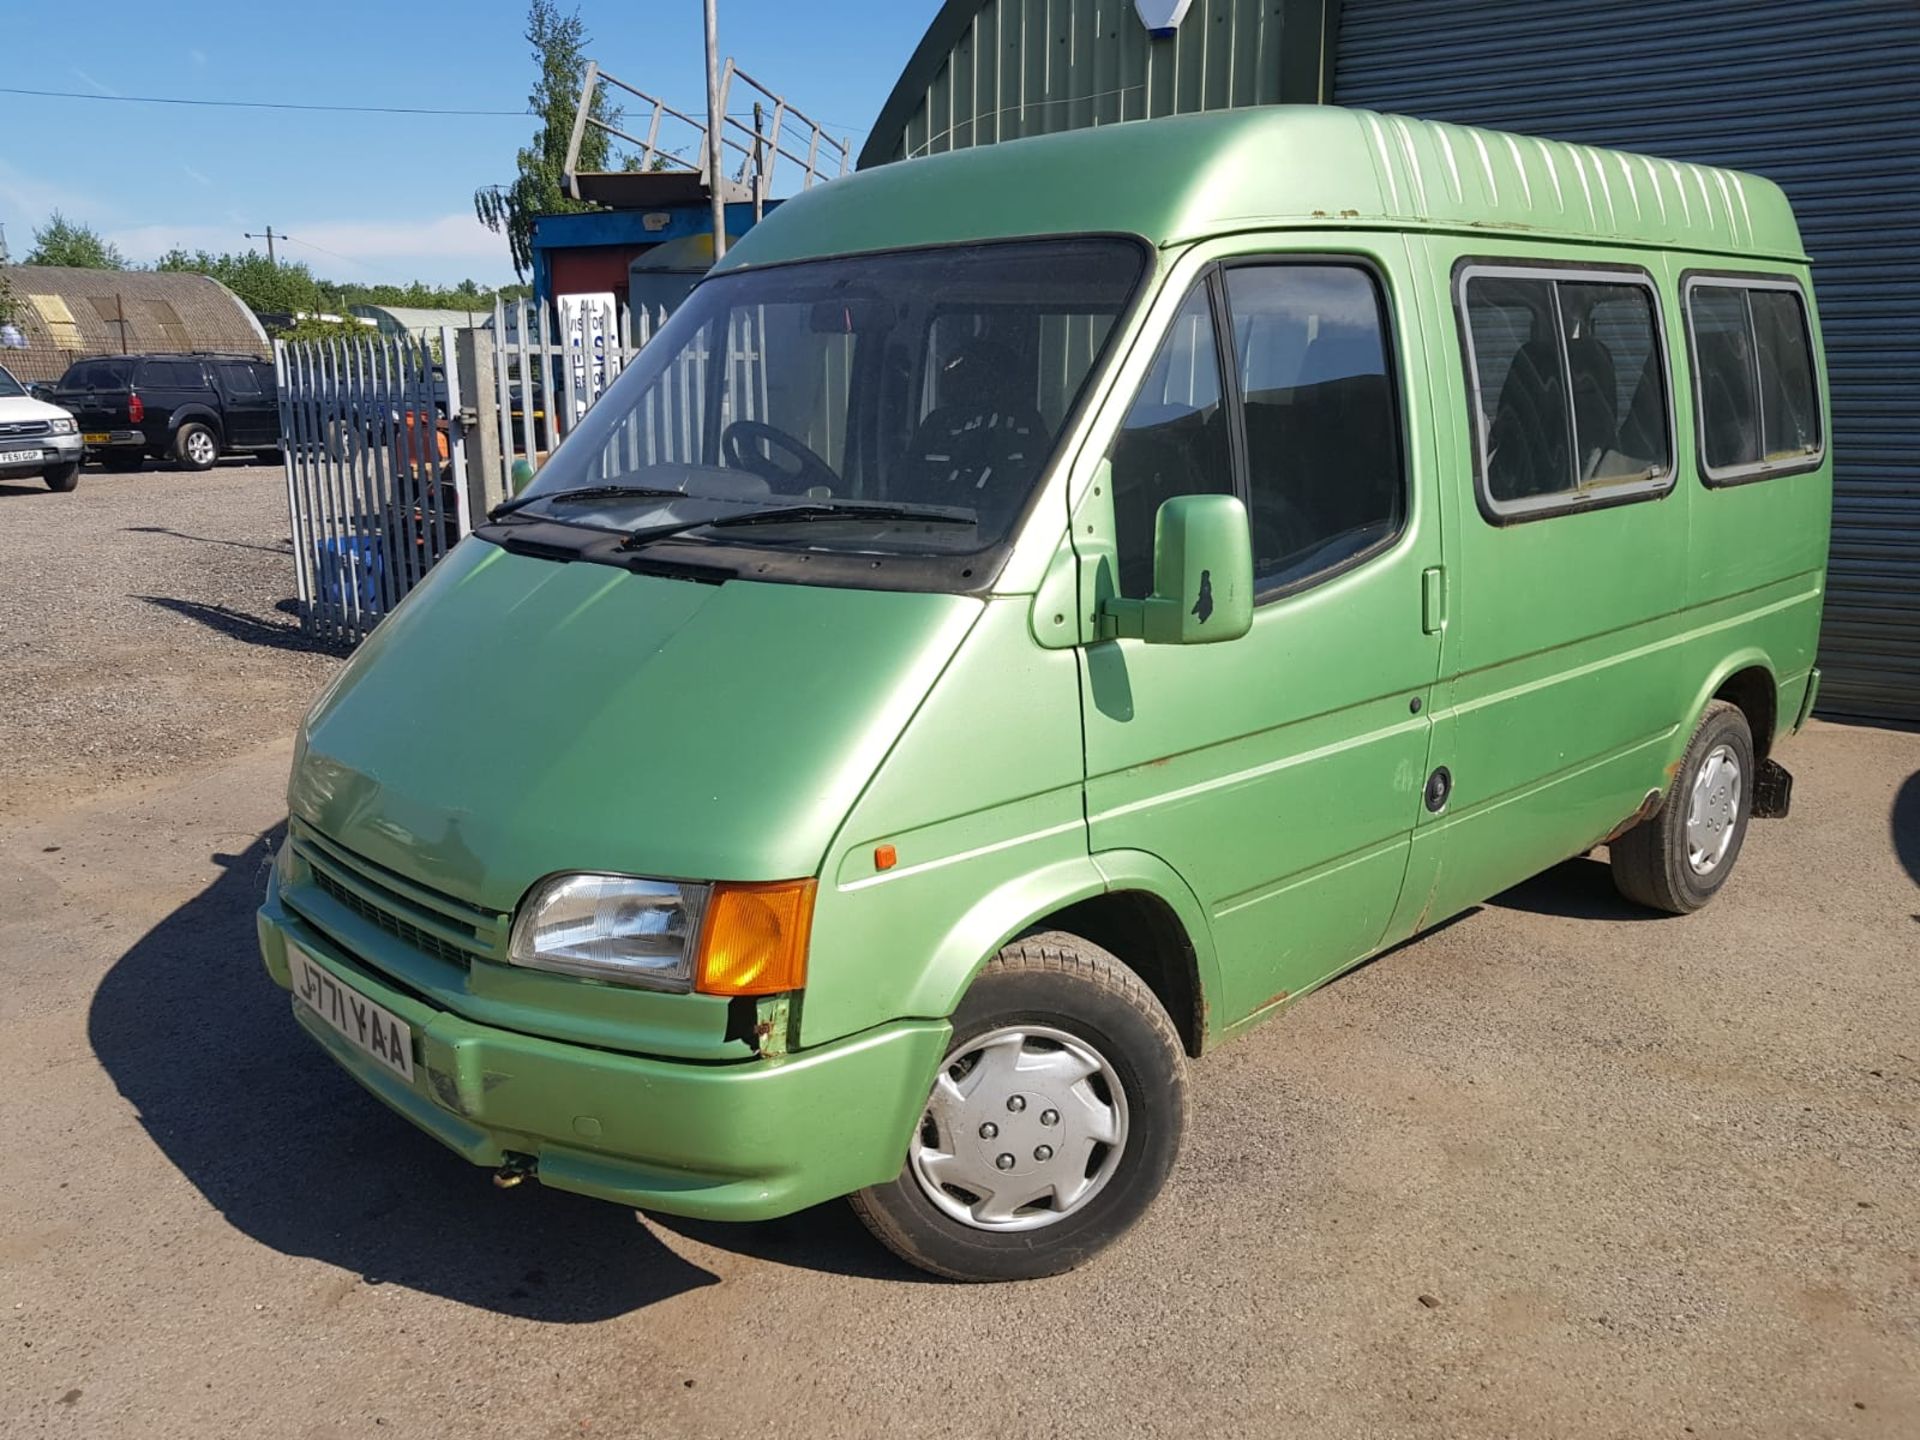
(619, 928)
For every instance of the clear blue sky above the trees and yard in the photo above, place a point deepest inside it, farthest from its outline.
(364, 197)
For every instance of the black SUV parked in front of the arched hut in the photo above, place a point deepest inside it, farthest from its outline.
(183, 408)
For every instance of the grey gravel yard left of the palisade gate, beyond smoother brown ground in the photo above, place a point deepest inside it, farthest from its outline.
(145, 629)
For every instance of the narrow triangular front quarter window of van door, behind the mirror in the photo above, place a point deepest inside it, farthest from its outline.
(1174, 441)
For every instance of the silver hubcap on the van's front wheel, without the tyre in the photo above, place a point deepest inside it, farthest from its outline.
(1024, 1128)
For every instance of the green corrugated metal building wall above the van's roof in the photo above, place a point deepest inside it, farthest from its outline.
(1038, 66)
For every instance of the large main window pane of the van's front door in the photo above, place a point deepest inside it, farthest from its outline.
(1322, 427)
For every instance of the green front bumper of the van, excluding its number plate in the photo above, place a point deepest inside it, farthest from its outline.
(715, 1141)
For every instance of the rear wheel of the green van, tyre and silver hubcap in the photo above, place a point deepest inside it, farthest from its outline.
(1681, 857)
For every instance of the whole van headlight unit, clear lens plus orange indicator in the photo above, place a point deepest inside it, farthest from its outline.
(669, 936)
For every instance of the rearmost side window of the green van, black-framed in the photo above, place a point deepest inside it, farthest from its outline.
(1760, 410)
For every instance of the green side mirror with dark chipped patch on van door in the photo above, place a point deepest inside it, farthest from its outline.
(1203, 577)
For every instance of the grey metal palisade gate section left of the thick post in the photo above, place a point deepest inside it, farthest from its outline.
(375, 471)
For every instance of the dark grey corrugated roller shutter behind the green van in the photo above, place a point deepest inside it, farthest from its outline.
(1817, 95)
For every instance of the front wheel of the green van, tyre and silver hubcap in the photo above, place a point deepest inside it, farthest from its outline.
(1053, 1122)
